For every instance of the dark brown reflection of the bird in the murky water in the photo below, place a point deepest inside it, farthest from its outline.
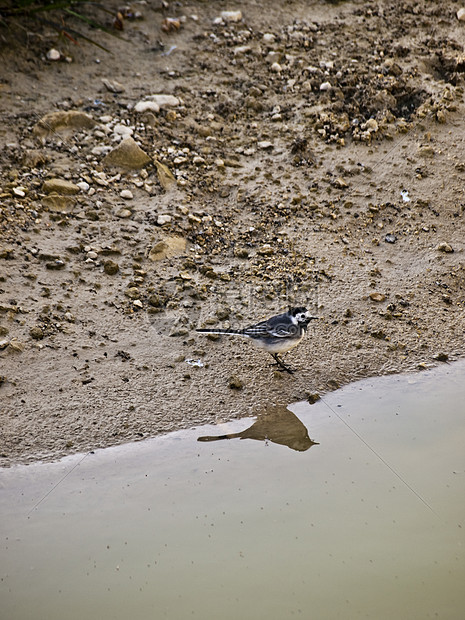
(276, 424)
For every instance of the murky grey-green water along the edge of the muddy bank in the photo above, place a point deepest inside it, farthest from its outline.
(369, 522)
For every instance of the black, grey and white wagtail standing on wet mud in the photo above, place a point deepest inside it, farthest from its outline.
(279, 334)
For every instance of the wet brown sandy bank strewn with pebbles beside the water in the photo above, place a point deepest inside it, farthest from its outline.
(311, 153)
